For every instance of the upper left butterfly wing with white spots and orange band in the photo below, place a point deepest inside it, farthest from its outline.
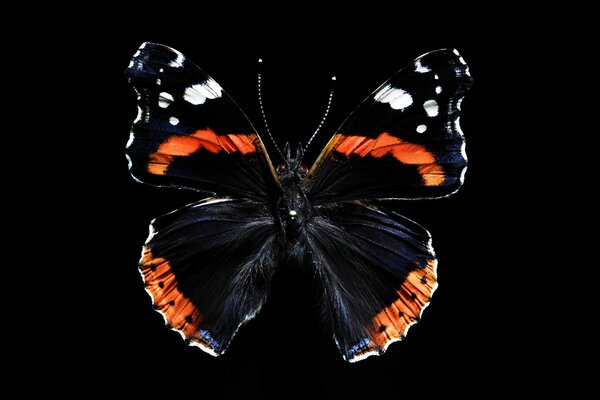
(189, 133)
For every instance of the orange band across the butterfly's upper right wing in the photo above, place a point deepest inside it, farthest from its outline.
(407, 153)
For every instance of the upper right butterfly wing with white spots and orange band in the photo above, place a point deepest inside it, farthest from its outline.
(403, 141)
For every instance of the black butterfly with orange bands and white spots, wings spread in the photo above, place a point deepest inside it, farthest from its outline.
(208, 266)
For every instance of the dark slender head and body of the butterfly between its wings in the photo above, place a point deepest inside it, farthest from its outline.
(293, 206)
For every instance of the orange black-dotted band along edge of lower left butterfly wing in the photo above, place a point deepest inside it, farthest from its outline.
(161, 283)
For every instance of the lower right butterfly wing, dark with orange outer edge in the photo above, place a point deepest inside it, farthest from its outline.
(377, 270)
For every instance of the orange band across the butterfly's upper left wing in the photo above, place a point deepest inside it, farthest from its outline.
(185, 145)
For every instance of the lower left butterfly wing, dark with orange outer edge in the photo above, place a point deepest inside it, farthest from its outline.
(208, 267)
